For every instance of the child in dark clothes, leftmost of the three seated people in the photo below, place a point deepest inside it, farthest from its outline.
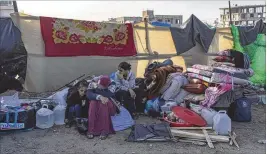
(77, 104)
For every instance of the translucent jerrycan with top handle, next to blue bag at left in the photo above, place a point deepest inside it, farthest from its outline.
(44, 117)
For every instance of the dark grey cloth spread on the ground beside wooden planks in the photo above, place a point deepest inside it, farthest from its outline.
(153, 132)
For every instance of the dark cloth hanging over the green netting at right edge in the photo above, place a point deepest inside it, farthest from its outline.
(248, 34)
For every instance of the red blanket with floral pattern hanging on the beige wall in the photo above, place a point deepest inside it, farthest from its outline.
(67, 37)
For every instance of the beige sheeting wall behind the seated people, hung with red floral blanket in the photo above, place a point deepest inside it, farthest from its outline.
(49, 73)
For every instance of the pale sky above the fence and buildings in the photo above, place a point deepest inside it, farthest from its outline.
(102, 10)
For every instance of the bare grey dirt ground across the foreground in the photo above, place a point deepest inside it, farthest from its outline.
(59, 140)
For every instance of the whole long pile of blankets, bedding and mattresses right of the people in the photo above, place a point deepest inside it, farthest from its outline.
(216, 86)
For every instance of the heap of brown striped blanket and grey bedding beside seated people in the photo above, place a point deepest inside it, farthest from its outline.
(164, 87)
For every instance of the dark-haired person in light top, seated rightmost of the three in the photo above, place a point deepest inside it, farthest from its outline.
(125, 86)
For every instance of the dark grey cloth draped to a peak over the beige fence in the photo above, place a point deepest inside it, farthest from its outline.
(193, 31)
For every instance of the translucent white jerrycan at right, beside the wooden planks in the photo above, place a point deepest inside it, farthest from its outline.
(222, 123)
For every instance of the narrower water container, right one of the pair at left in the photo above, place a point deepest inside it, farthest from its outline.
(59, 114)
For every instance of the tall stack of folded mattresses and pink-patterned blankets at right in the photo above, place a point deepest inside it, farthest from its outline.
(227, 79)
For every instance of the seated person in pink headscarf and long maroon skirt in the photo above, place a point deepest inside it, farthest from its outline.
(101, 108)
